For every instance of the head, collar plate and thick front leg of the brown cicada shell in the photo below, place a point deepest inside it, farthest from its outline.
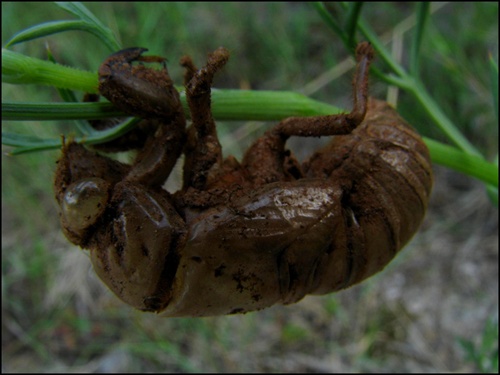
(120, 213)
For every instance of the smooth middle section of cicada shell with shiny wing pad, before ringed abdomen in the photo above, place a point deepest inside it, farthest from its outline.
(249, 254)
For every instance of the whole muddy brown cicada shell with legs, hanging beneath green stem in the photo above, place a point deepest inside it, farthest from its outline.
(240, 236)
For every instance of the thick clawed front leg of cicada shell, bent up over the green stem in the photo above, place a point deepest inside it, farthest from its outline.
(150, 94)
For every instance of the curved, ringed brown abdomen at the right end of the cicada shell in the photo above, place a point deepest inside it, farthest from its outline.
(384, 171)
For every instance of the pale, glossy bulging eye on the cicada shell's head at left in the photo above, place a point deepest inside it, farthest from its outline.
(84, 201)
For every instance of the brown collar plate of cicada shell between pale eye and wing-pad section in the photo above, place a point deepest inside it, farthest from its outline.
(138, 251)
